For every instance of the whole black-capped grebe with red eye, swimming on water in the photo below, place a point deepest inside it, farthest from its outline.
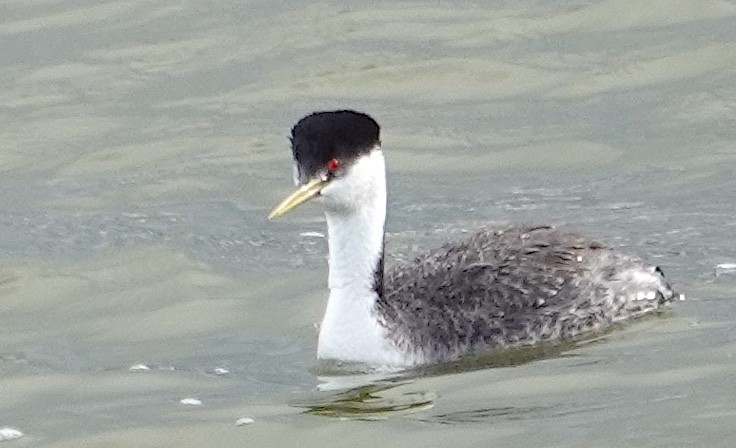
(497, 289)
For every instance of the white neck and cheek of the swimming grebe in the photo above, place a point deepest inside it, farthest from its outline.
(356, 214)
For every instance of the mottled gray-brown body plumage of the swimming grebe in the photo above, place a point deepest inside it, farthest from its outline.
(515, 287)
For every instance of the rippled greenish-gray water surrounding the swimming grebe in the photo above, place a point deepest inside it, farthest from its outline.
(142, 145)
